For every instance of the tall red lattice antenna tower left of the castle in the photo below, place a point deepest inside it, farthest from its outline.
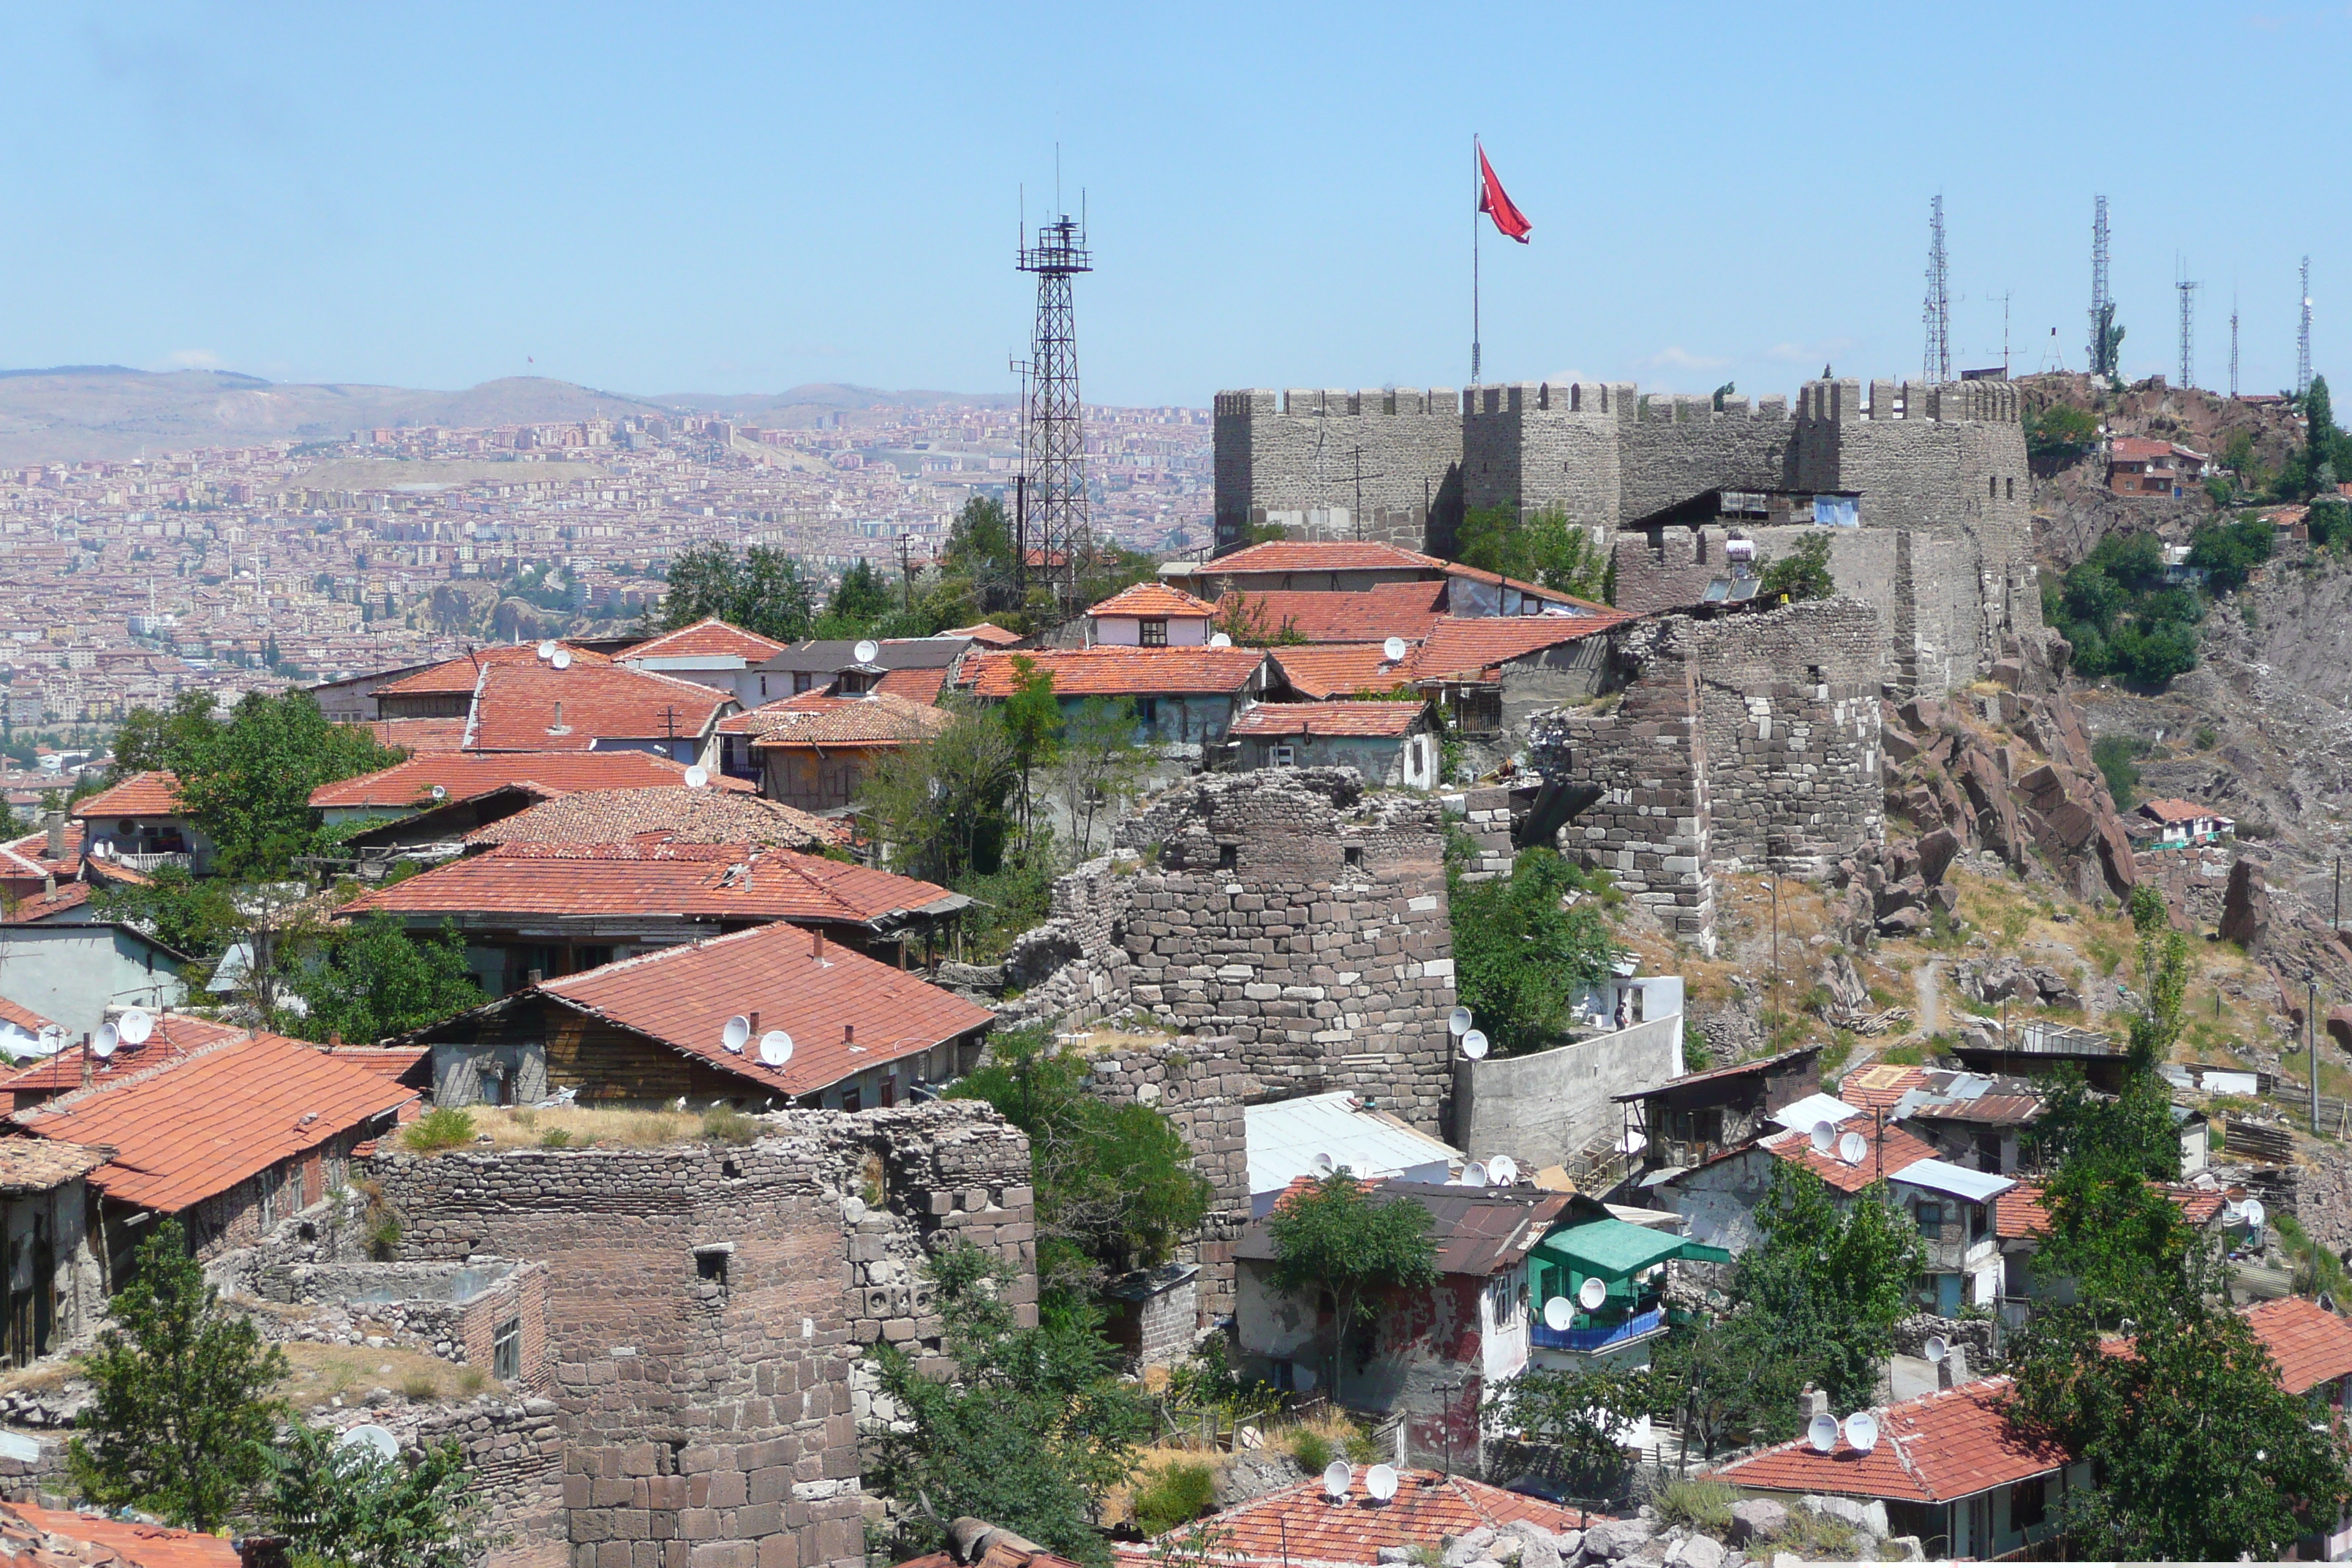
(1055, 450)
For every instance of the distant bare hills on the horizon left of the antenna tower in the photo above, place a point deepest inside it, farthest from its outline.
(76, 413)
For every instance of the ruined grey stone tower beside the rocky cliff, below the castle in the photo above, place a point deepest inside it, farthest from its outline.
(1746, 739)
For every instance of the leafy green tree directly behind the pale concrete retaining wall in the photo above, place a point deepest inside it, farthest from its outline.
(1521, 956)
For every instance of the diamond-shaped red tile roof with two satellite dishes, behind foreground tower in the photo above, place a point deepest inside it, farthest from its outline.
(794, 984)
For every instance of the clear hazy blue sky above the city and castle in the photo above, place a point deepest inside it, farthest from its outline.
(667, 199)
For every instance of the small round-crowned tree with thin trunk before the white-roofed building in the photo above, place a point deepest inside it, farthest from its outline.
(1337, 1240)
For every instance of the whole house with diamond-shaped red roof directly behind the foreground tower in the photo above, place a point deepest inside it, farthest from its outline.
(655, 1028)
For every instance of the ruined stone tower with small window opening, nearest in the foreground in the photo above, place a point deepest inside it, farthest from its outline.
(707, 1311)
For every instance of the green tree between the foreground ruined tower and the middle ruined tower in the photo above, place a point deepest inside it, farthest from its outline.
(1116, 1186)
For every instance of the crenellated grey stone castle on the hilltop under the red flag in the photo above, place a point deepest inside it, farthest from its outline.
(1946, 500)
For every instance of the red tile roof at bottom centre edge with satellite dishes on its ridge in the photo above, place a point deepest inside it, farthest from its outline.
(1302, 1525)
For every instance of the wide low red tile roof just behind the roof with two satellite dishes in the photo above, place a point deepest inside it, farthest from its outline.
(671, 880)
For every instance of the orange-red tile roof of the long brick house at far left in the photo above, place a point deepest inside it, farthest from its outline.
(215, 1118)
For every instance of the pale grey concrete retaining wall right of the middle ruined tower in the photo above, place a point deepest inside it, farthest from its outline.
(1549, 1106)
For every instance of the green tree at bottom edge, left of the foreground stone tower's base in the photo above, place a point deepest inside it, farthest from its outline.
(352, 1508)
